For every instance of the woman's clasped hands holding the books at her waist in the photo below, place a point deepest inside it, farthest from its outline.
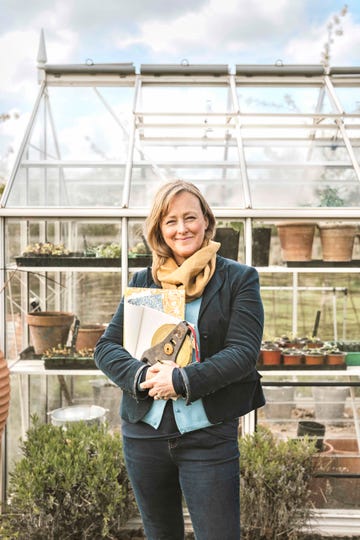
(159, 380)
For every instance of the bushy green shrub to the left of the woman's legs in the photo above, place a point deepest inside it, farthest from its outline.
(70, 484)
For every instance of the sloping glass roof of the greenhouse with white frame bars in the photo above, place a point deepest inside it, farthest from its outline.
(252, 137)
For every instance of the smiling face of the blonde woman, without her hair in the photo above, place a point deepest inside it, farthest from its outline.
(183, 227)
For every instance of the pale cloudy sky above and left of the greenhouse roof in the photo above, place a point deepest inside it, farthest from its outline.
(160, 32)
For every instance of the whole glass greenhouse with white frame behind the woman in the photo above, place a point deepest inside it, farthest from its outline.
(275, 149)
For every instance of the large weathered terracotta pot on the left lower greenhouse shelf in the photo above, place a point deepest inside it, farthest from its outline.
(49, 329)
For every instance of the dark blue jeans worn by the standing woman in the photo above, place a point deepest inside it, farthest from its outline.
(199, 465)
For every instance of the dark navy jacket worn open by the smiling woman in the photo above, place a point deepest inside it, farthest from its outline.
(230, 325)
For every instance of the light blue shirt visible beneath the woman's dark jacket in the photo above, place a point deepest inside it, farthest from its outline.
(187, 417)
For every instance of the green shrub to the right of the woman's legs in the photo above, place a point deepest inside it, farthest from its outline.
(274, 479)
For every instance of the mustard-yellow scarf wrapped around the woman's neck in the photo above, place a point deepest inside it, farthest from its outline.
(194, 273)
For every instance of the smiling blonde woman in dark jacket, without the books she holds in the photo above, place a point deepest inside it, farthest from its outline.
(187, 446)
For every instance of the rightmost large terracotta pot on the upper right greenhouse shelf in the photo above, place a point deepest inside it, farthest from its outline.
(337, 241)
